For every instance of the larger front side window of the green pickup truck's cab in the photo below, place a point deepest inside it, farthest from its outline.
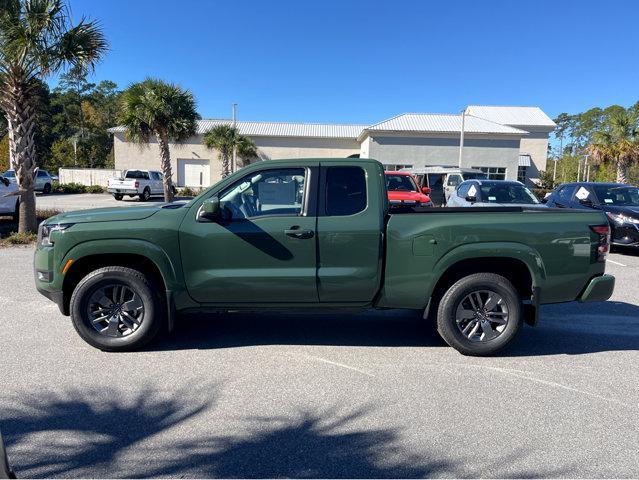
(267, 192)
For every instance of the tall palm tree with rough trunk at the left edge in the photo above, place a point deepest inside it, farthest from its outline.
(37, 38)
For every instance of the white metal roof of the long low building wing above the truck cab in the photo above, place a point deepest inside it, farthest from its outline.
(279, 129)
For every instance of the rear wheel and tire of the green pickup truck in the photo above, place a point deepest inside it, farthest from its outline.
(485, 334)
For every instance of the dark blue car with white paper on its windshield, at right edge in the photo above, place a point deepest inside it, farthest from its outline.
(620, 202)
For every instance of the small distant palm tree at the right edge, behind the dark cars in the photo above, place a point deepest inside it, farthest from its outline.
(617, 143)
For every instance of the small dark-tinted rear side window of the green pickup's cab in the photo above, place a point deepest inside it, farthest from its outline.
(345, 190)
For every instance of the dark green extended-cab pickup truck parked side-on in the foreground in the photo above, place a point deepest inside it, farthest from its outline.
(317, 235)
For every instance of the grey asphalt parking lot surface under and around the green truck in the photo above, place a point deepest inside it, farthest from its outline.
(373, 395)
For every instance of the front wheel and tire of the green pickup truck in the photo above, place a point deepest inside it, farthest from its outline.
(117, 332)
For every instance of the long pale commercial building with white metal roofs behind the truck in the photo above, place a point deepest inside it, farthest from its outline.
(506, 142)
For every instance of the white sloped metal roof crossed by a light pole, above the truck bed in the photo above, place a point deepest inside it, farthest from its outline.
(442, 123)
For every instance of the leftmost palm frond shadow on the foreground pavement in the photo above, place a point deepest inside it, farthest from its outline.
(82, 431)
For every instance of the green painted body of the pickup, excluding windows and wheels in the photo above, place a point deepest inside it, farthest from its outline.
(372, 258)
